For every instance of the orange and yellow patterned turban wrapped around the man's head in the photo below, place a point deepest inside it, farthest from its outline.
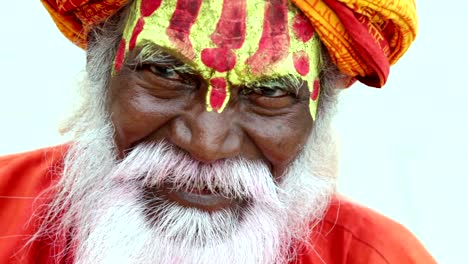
(363, 37)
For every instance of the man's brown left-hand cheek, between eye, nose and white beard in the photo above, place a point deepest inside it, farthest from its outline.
(137, 115)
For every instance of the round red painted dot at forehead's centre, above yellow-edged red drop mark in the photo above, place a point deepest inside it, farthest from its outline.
(219, 59)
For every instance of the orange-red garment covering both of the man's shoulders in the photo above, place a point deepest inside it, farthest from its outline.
(349, 233)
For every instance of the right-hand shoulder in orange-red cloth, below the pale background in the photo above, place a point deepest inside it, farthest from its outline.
(352, 233)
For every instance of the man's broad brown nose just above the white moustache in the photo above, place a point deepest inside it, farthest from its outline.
(208, 136)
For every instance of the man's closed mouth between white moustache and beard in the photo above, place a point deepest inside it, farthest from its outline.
(201, 198)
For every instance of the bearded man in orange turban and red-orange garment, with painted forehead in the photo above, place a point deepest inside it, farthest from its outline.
(205, 137)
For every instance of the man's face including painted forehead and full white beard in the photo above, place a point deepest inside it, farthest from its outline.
(211, 108)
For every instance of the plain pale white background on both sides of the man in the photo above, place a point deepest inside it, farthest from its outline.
(404, 148)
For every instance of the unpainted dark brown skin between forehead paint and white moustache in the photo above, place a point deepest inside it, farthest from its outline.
(151, 103)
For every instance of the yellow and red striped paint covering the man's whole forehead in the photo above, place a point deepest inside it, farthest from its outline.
(230, 42)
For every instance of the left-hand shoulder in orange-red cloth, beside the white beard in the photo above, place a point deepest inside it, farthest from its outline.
(23, 178)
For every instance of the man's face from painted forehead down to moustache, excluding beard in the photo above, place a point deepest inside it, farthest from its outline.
(253, 62)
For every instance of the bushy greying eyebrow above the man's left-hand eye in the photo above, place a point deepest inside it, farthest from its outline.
(150, 53)
